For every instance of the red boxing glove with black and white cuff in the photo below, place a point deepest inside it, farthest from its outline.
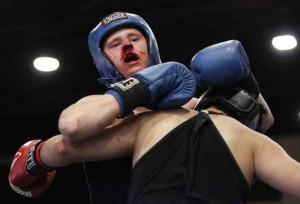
(28, 176)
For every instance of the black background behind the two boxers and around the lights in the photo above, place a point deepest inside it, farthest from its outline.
(31, 101)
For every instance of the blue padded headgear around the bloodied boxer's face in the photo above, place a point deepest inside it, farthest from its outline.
(109, 74)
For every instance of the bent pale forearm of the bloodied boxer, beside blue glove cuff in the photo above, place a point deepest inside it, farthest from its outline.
(88, 117)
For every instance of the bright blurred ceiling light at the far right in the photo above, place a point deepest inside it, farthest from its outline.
(284, 42)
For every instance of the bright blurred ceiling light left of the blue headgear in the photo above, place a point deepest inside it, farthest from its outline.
(46, 64)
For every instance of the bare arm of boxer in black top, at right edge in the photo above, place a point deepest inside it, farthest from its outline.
(275, 167)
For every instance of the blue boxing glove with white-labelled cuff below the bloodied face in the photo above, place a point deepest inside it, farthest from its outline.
(159, 87)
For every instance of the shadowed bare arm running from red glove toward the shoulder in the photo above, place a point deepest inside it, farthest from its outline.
(110, 144)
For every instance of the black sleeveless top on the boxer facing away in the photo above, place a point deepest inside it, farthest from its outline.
(192, 165)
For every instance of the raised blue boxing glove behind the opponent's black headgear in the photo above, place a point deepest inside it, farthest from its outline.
(225, 64)
